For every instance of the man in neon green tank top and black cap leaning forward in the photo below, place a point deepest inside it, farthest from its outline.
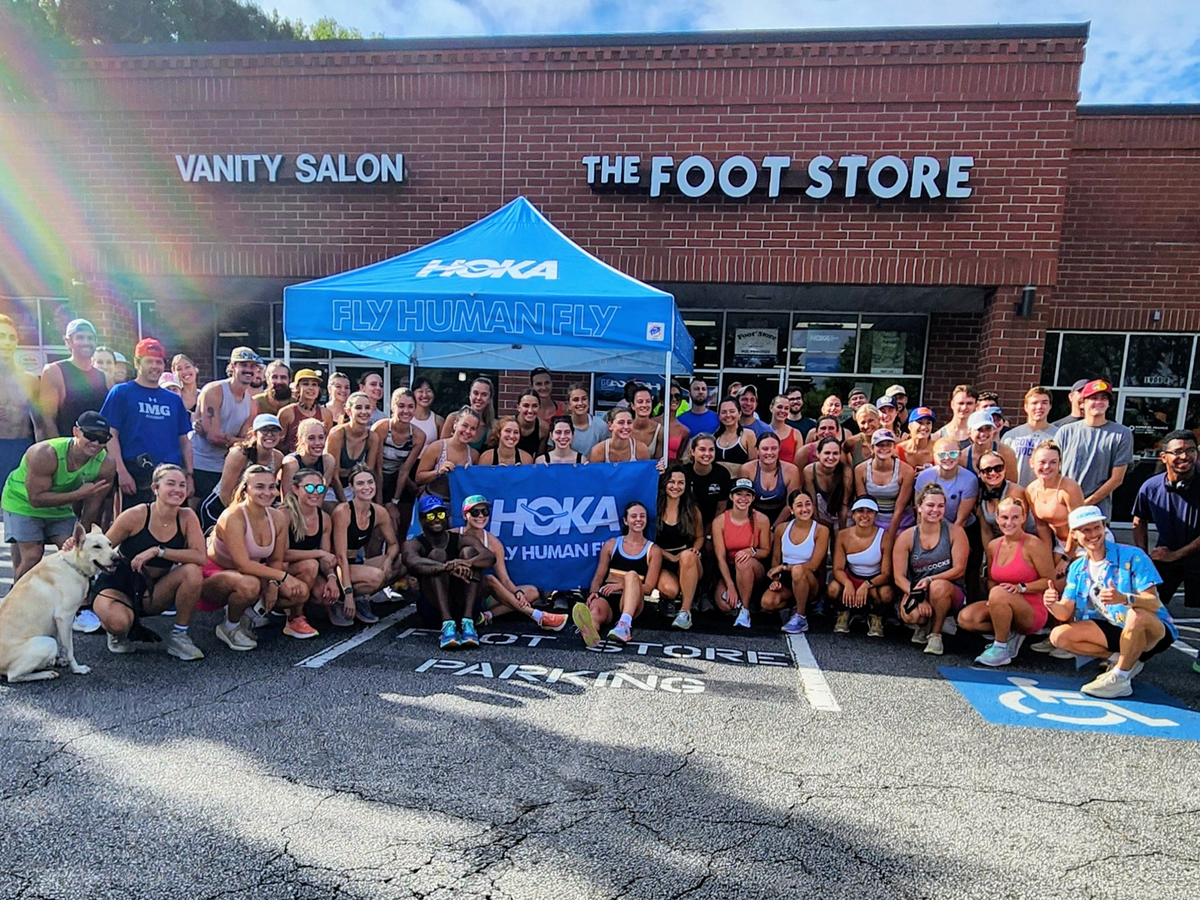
(57, 481)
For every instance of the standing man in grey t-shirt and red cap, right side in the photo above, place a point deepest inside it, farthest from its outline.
(1096, 453)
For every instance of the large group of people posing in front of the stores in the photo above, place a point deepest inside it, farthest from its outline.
(253, 496)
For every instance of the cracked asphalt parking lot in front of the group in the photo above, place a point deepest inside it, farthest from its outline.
(685, 766)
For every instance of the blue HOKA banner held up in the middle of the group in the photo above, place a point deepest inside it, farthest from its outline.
(554, 520)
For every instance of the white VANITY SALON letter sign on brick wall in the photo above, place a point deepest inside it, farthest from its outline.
(304, 169)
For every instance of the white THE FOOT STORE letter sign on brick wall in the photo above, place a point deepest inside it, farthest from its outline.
(849, 176)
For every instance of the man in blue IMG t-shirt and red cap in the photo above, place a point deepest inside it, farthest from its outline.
(149, 424)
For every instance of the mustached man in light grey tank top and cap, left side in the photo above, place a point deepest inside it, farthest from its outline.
(224, 413)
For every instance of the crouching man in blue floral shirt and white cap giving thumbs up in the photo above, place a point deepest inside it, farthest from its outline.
(1112, 607)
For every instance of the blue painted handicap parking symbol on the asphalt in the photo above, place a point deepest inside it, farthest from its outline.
(1041, 701)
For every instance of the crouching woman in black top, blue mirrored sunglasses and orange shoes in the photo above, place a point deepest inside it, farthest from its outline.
(310, 554)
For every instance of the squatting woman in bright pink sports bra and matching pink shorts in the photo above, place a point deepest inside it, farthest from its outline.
(1021, 568)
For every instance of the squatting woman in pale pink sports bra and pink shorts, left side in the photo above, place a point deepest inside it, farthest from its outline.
(247, 561)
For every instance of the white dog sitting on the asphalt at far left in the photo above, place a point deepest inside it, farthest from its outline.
(44, 604)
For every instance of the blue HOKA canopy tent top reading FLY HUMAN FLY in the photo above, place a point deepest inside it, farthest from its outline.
(509, 292)
